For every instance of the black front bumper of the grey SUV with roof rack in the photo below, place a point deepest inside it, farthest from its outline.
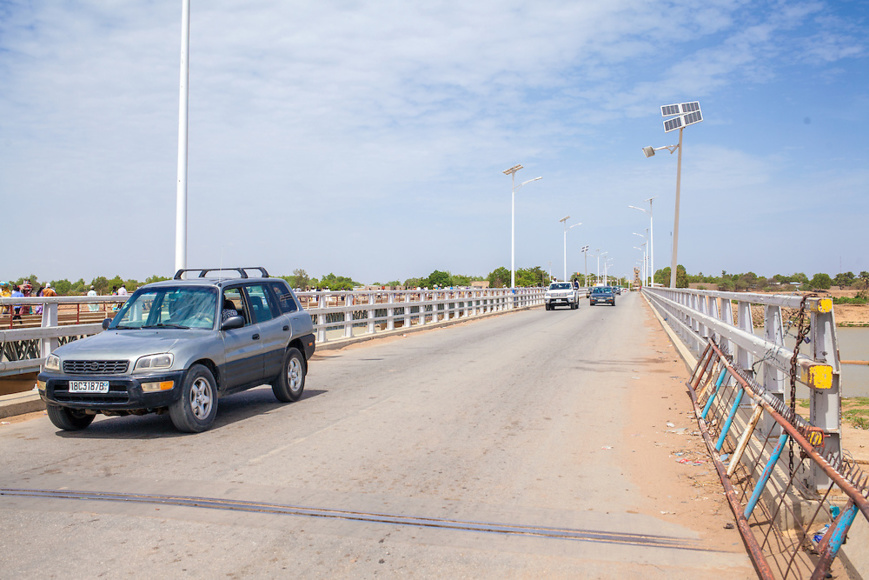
(125, 391)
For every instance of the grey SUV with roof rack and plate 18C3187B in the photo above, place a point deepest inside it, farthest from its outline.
(177, 346)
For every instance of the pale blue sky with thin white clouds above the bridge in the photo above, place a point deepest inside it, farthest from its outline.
(369, 139)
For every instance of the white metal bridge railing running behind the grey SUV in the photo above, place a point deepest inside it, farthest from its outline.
(25, 343)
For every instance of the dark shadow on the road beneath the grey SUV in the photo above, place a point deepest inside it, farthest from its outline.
(230, 410)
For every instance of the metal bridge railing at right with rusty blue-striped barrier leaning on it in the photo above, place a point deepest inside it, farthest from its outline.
(793, 490)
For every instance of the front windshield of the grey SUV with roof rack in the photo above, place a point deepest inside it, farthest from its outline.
(168, 307)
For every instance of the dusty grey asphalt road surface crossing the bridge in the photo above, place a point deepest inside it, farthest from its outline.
(477, 450)
